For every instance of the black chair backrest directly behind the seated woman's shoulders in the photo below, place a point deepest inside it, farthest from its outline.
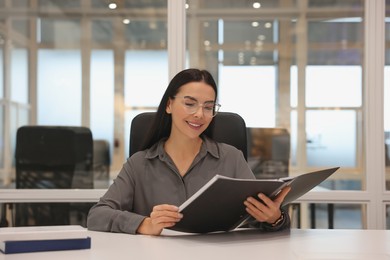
(226, 128)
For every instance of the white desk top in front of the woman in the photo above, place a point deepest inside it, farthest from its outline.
(294, 244)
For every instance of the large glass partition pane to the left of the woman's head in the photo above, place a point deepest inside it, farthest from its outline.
(87, 67)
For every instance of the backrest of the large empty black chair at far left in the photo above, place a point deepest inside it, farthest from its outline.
(57, 157)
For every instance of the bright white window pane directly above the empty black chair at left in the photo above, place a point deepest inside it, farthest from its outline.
(59, 87)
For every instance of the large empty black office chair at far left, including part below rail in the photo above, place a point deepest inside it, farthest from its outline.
(51, 157)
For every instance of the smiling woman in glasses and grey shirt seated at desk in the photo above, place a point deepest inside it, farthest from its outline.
(177, 160)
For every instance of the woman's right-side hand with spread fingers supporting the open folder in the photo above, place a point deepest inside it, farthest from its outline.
(267, 210)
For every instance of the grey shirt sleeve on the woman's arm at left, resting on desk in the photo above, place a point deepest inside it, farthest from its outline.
(113, 212)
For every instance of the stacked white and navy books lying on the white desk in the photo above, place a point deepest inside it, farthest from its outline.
(43, 238)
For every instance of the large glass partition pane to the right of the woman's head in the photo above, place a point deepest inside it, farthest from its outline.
(299, 69)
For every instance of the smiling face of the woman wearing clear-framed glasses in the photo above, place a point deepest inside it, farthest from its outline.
(190, 109)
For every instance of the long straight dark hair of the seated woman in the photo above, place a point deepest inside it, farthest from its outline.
(161, 125)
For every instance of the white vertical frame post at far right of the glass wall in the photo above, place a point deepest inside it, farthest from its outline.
(373, 76)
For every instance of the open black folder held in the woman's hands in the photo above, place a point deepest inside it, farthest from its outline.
(219, 204)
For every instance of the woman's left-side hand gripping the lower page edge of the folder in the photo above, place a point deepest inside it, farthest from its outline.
(162, 216)
